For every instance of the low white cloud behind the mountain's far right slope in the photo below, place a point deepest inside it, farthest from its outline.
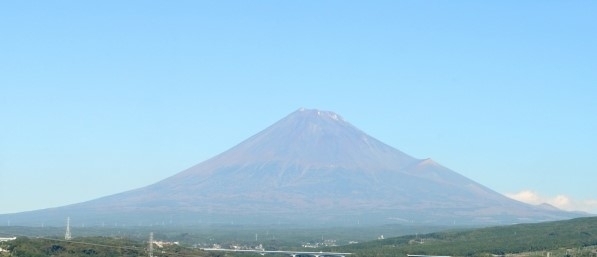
(563, 202)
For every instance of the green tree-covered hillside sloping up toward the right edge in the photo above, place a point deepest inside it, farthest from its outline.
(562, 237)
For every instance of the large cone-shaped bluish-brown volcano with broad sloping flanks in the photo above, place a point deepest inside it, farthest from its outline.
(311, 167)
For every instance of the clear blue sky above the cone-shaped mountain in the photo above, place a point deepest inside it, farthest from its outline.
(100, 97)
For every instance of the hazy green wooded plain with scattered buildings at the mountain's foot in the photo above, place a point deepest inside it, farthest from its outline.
(272, 237)
